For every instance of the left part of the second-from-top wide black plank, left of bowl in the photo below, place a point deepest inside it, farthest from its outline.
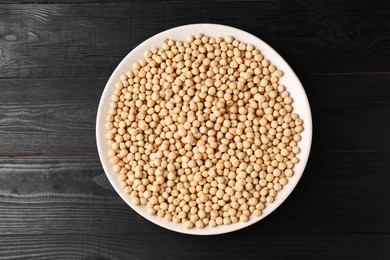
(48, 115)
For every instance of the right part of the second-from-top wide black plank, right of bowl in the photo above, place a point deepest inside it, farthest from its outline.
(348, 111)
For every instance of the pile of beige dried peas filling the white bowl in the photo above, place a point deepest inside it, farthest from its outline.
(202, 133)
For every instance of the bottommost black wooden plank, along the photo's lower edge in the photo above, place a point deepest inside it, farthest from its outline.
(177, 246)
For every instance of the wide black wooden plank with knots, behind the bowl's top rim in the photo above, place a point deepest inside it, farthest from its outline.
(67, 40)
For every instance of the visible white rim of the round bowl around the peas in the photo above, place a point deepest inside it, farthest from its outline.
(290, 80)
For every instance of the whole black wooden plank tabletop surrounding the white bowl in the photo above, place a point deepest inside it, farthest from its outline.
(55, 201)
